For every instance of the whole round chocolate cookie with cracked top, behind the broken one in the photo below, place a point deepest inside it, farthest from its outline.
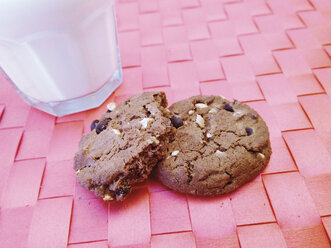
(218, 146)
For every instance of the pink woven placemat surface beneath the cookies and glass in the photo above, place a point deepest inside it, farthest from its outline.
(272, 54)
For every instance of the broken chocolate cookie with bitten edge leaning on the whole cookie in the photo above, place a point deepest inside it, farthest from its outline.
(124, 145)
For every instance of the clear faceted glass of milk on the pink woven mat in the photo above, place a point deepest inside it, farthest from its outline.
(61, 55)
